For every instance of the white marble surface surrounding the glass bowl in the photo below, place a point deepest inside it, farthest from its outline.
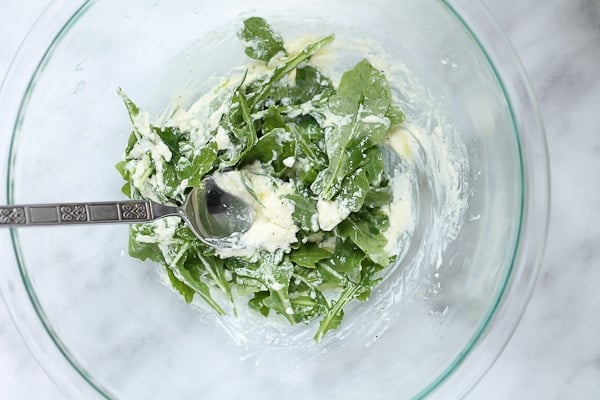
(555, 352)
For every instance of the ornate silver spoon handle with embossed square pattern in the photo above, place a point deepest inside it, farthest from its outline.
(128, 211)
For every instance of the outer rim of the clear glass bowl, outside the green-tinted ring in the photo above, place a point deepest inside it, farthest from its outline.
(487, 343)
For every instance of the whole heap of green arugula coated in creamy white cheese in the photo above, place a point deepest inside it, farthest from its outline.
(292, 125)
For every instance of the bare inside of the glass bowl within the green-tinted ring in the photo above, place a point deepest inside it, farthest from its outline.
(129, 336)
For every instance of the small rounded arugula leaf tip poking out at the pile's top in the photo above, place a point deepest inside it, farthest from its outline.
(263, 43)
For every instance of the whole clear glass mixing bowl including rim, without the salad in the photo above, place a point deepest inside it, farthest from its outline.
(104, 326)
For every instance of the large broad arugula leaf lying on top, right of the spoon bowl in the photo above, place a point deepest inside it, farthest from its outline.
(358, 122)
